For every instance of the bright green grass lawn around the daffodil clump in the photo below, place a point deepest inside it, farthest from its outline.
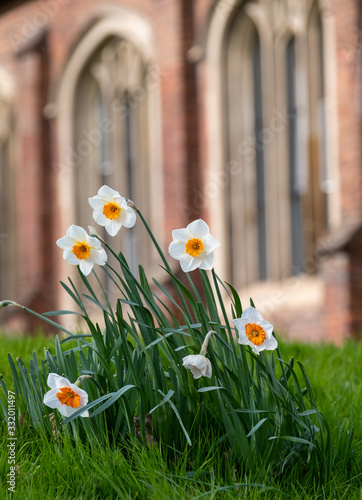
(61, 470)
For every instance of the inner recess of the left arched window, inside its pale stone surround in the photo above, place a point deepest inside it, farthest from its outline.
(111, 138)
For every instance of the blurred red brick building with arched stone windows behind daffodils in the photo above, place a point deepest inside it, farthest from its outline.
(244, 113)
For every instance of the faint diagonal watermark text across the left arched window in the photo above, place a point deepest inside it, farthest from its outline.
(119, 110)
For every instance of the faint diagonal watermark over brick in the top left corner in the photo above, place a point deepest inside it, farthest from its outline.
(32, 24)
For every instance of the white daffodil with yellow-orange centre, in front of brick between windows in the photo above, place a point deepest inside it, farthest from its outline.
(194, 246)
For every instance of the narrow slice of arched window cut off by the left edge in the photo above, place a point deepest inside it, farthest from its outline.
(7, 198)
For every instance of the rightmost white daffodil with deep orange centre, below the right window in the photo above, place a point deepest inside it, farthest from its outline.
(254, 331)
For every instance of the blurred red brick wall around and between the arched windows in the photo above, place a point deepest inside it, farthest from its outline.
(36, 41)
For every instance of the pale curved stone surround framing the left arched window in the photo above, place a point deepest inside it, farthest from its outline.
(124, 25)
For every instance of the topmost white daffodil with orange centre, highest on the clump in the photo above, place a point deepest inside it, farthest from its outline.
(110, 210)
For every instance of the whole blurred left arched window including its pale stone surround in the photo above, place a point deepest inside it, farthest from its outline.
(109, 132)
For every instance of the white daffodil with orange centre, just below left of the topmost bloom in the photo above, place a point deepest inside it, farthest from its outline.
(82, 249)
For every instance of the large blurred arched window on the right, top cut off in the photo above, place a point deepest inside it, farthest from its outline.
(271, 135)
